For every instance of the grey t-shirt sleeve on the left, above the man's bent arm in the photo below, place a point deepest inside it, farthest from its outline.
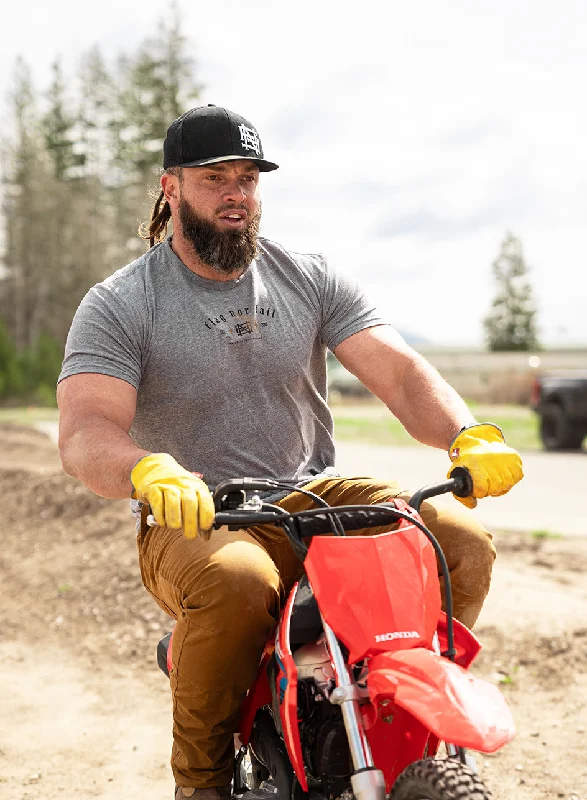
(105, 337)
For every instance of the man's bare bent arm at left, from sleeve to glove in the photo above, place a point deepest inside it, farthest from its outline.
(95, 415)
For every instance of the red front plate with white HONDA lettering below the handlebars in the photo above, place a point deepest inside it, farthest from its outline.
(378, 593)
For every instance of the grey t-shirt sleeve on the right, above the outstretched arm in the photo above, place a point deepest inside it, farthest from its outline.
(346, 308)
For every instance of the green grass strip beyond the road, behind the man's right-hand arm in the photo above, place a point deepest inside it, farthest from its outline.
(374, 424)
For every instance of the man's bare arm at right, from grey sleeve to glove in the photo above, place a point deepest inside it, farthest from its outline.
(426, 405)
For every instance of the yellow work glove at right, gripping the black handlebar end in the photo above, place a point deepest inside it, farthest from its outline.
(494, 467)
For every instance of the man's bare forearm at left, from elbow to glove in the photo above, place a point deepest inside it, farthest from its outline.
(101, 455)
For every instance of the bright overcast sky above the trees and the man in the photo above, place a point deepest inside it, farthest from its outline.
(411, 135)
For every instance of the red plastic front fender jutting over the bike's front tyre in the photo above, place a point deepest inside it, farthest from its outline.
(454, 705)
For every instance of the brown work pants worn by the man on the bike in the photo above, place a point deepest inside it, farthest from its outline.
(226, 595)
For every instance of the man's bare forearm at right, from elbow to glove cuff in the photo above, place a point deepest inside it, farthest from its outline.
(427, 406)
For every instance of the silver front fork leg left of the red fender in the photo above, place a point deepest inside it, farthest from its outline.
(368, 782)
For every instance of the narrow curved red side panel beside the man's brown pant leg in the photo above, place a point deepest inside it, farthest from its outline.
(287, 688)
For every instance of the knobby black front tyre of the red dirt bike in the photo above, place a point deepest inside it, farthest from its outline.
(439, 779)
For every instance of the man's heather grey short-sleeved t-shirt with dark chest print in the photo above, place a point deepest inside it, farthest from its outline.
(231, 376)
